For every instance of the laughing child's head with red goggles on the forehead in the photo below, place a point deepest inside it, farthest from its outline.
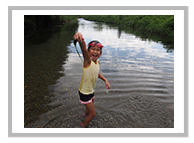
(95, 49)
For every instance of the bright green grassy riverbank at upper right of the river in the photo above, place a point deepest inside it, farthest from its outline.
(159, 24)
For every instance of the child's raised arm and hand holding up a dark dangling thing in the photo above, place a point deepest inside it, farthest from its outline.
(78, 36)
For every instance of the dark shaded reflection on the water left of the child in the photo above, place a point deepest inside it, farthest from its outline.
(44, 53)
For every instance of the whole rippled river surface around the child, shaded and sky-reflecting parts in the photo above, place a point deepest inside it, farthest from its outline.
(139, 70)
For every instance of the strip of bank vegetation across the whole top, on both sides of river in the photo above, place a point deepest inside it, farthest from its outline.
(160, 24)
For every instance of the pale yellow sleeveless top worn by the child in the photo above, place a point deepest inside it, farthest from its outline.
(89, 78)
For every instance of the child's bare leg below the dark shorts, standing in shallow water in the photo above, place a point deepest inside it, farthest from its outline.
(91, 113)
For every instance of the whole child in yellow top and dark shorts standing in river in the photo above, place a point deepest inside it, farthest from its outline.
(89, 76)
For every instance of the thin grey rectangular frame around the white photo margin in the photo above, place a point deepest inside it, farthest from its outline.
(11, 8)
